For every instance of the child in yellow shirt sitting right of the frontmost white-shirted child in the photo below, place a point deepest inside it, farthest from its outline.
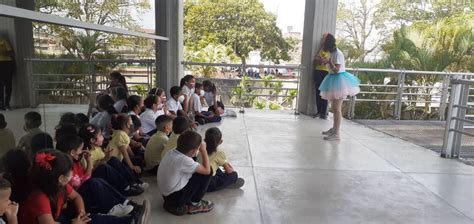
(217, 159)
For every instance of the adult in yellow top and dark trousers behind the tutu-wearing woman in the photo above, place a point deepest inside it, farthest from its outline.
(319, 73)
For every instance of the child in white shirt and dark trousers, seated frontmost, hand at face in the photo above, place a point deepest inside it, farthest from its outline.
(182, 181)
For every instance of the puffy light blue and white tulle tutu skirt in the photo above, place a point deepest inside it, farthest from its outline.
(339, 86)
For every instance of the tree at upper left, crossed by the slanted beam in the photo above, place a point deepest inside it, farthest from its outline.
(115, 13)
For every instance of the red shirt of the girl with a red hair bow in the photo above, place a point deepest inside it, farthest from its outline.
(38, 204)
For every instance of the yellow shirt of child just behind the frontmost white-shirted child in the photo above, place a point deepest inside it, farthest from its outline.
(154, 148)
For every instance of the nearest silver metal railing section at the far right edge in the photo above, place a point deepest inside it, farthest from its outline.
(458, 120)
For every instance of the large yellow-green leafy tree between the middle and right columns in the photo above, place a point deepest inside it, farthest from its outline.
(241, 25)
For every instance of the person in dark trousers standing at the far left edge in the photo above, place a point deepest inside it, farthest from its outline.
(7, 68)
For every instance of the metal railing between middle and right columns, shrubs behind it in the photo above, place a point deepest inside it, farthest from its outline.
(245, 87)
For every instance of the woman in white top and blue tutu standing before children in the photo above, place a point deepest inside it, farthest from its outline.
(337, 85)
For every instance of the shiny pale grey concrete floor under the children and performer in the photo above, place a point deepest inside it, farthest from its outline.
(293, 176)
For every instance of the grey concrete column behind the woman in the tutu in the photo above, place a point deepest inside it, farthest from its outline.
(320, 17)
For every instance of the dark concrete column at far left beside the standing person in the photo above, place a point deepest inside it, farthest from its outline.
(20, 34)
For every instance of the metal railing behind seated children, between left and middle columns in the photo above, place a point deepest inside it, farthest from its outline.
(78, 81)
